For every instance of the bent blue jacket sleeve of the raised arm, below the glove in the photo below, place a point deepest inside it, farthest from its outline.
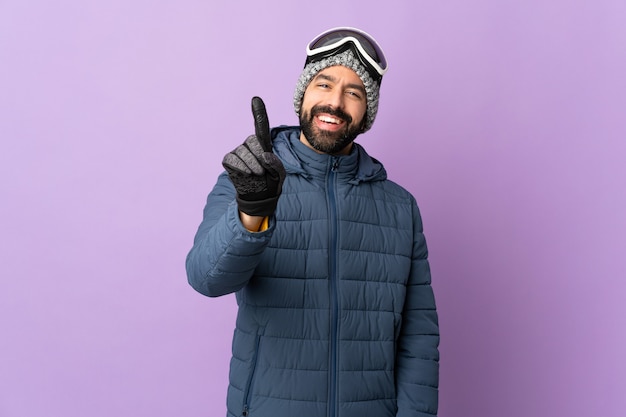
(224, 254)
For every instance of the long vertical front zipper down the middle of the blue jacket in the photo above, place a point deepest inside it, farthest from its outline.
(334, 333)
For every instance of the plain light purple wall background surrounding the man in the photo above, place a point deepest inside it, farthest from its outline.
(505, 119)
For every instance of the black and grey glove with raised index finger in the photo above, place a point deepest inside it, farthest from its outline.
(254, 170)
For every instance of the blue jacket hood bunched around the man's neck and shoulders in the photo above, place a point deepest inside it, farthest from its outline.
(297, 158)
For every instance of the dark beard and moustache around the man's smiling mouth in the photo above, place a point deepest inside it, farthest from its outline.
(323, 140)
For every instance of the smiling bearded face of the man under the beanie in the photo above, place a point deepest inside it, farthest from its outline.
(333, 110)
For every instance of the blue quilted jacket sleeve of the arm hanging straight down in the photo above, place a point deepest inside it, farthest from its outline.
(417, 356)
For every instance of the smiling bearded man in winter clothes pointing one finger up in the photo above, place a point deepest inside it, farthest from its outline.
(327, 257)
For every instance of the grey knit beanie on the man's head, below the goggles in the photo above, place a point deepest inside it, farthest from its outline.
(349, 60)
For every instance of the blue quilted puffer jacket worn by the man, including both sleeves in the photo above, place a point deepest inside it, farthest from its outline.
(336, 313)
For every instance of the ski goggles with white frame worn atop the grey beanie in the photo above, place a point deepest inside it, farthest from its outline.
(339, 39)
